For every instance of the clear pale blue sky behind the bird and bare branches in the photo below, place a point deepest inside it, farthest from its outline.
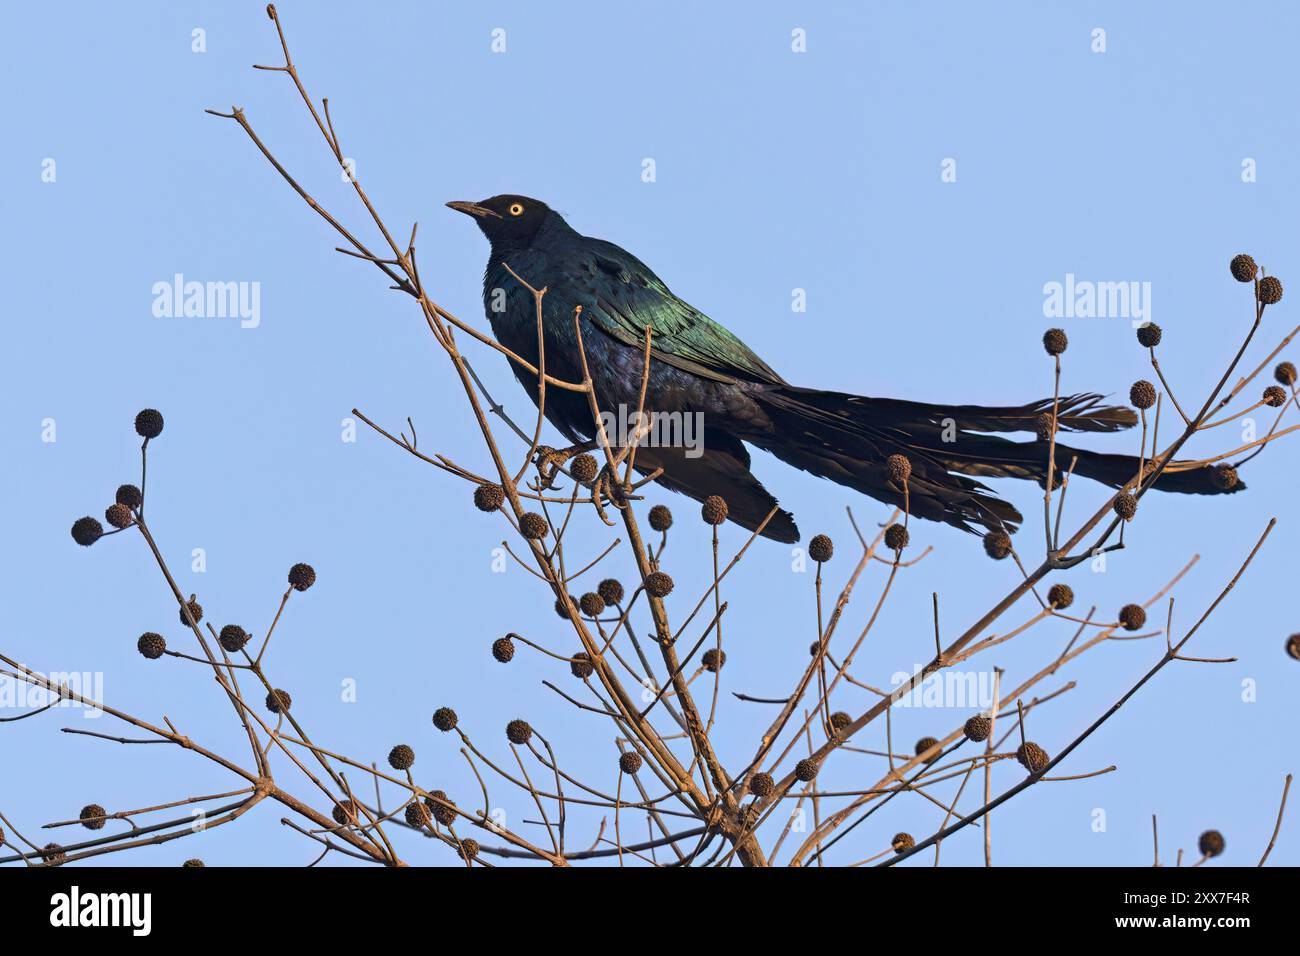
(775, 171)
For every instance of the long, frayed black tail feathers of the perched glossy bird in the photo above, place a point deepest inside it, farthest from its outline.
(848, 439)
